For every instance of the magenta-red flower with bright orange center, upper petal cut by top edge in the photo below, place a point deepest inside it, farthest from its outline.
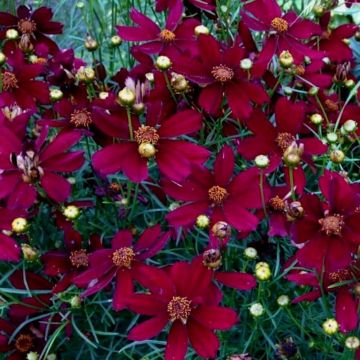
(285, 32)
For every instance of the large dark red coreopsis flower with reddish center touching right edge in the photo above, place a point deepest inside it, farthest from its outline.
(329, 230)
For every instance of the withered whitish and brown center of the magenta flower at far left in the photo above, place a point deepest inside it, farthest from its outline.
(28, 163)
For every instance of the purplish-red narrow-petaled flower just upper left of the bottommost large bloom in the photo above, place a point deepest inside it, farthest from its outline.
(123, 262)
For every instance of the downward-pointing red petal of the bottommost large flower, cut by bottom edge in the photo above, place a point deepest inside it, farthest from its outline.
(177, 342)
